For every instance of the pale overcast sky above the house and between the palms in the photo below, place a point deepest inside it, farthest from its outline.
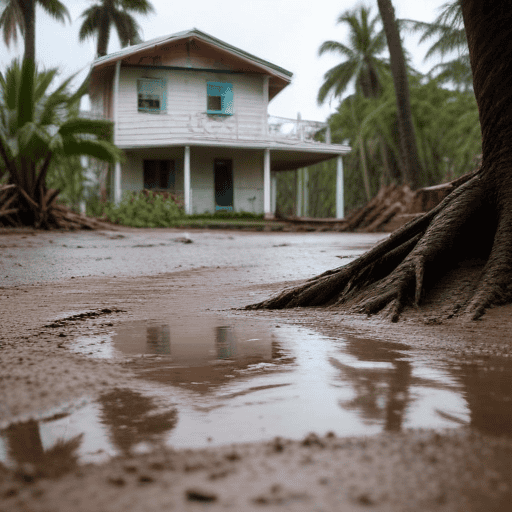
(287, 33)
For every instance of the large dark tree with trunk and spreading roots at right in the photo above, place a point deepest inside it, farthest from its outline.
(472, 224)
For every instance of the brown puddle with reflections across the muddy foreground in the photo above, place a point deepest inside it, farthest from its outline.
(209, 380)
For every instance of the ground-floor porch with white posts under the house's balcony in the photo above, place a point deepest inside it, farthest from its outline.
(212, 177)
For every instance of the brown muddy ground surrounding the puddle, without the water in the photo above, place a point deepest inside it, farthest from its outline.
(59, 286)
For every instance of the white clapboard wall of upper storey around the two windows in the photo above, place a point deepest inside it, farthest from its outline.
(185, 114)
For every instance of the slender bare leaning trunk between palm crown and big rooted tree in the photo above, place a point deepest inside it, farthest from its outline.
(409, 151)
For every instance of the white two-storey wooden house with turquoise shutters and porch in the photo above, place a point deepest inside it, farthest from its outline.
(191, 114)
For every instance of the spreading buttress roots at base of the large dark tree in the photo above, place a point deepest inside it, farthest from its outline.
(471, 224)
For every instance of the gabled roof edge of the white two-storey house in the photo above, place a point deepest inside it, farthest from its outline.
(279, 77)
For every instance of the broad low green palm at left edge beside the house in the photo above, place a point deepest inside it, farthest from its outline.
(31, 137)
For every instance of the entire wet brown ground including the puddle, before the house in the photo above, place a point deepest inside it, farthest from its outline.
(144, 375)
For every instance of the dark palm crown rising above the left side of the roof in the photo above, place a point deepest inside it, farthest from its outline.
(99, 18)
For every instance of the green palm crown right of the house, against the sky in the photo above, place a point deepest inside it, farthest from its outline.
(362, 62)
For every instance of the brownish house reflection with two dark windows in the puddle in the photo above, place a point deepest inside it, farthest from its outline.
(200, 353)
